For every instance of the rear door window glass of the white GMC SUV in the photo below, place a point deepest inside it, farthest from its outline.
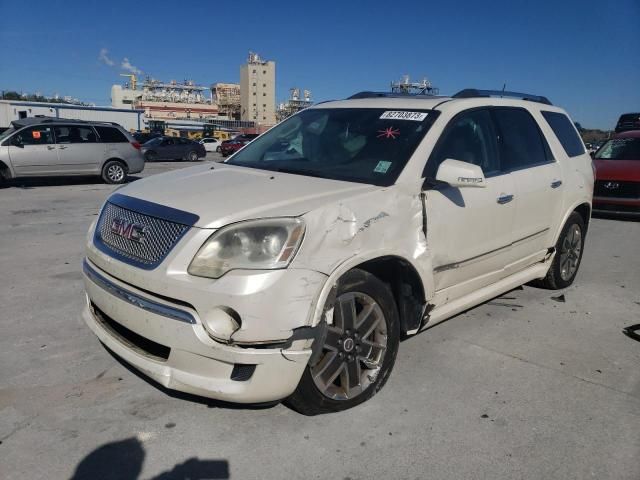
(521, 143)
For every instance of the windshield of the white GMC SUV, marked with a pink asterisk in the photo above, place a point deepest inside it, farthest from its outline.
(366, 145)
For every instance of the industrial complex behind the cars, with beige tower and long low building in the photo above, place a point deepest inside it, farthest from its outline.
(180, 107)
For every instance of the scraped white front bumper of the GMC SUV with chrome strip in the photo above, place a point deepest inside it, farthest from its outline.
(190, 361)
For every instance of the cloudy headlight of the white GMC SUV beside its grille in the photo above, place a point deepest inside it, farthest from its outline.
(256, 244)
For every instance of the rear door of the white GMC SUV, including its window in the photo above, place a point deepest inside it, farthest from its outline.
(537, 178)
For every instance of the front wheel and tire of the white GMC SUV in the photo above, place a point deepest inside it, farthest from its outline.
(359, 349)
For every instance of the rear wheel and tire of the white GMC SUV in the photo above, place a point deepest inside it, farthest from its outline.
(569, 250)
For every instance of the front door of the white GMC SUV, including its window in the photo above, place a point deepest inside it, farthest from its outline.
(469, 229)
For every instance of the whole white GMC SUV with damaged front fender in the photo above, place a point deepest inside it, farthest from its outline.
(293, 270)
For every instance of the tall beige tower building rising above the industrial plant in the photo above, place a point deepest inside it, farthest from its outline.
(258, 91)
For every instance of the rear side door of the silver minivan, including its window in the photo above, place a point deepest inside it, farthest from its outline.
(78, 149)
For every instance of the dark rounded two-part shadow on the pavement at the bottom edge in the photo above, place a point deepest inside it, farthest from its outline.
(123, 460)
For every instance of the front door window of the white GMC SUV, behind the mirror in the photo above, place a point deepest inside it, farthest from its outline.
(469, 137)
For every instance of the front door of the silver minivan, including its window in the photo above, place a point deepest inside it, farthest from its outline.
(33, 151)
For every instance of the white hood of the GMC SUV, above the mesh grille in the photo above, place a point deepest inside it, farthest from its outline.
(221, 194)
